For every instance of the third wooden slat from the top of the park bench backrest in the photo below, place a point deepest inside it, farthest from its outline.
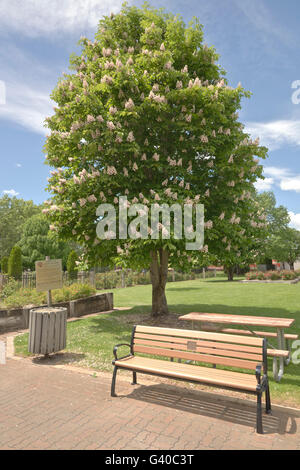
(211, 348)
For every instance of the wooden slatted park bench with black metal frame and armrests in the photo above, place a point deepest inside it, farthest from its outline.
(242, 352)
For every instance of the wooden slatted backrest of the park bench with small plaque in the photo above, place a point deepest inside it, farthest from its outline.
(215, 348)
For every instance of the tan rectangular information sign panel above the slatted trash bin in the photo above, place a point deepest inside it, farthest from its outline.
(48, 275)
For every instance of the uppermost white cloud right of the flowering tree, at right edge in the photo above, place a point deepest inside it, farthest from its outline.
(275, 134)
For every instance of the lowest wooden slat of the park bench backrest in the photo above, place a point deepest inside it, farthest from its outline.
(197, 357)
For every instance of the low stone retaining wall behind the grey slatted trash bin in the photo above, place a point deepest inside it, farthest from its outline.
(18, 318)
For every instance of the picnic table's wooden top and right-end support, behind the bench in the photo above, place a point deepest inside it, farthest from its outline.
(279, 324)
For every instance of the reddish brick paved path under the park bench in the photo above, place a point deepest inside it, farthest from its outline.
(44, 407)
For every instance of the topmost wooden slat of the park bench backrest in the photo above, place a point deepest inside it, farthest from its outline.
(193, 334)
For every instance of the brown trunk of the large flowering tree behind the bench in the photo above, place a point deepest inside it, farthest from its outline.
(159, 275)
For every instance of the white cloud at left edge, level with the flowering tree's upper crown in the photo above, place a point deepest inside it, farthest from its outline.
(27, 107)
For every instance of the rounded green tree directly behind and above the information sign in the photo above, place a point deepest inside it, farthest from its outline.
(37, 242)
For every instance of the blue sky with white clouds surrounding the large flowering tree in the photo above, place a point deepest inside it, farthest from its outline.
(258, 42)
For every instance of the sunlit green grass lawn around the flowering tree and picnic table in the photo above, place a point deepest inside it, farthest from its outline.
(90, 341)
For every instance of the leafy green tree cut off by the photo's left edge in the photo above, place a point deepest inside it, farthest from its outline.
(13, 214)
